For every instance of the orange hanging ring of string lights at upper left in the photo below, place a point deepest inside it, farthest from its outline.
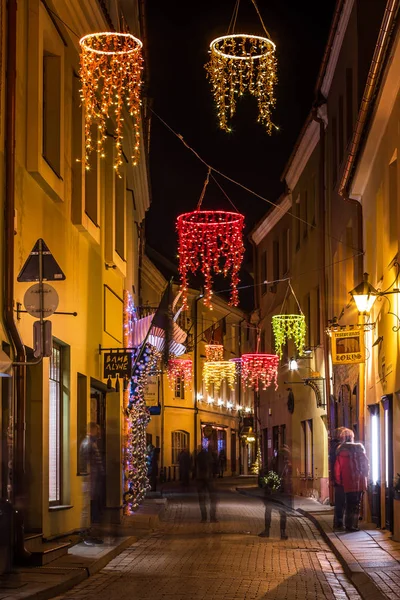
(111, 70)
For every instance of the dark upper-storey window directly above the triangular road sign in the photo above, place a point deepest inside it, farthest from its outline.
(51, 134)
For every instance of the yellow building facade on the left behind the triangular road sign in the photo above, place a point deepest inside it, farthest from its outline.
(90, 222)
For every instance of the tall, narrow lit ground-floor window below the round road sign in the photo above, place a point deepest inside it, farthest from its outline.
(55, 424)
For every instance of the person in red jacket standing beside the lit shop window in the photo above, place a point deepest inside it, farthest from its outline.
(351, 471)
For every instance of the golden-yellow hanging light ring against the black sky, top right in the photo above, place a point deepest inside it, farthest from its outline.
(241, 63)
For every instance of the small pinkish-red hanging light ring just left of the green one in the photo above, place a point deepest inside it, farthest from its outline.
(259, 369)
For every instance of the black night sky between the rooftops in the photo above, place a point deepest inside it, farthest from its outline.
(179, 34)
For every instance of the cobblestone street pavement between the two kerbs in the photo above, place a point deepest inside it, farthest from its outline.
(188, 560)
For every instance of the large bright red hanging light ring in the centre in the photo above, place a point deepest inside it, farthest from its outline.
(210, 241)
